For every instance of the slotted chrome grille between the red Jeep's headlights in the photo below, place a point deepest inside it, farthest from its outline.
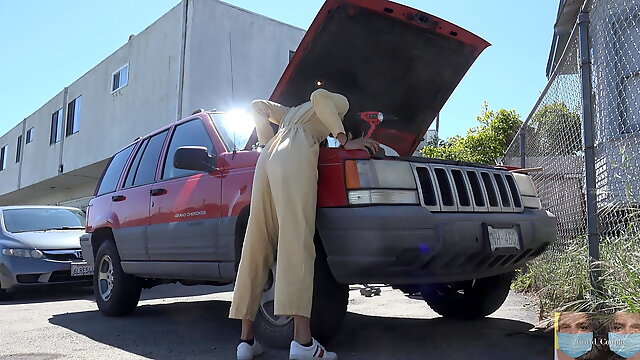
(449, 188)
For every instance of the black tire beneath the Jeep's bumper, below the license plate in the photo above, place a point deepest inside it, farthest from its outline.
(468, 299)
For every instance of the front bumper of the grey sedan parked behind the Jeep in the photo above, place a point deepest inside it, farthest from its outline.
(18, 272)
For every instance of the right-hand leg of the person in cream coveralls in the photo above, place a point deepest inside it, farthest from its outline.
(293, 174)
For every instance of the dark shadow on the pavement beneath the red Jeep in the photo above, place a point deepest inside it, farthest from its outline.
(202, 330)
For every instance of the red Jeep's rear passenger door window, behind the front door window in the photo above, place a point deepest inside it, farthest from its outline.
(143, 167)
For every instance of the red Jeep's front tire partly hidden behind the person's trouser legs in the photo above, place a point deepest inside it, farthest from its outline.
(329, 308)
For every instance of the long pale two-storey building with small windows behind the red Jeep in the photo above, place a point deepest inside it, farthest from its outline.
(201, 54)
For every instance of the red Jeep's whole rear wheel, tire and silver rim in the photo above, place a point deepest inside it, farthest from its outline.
(116, 293)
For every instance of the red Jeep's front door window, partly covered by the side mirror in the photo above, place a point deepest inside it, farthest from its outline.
(192, 133)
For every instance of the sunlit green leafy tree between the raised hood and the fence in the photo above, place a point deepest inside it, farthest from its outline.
(482, 144)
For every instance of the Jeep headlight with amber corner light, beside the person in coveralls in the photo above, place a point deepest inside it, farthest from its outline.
(380, 182)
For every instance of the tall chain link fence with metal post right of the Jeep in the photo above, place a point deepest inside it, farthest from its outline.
(553, 133)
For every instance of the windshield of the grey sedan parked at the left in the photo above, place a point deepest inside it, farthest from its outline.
(42, 219)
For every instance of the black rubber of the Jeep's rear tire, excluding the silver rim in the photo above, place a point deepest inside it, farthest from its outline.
(126, 288)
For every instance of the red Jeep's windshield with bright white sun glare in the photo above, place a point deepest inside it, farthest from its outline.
(235, 128)
